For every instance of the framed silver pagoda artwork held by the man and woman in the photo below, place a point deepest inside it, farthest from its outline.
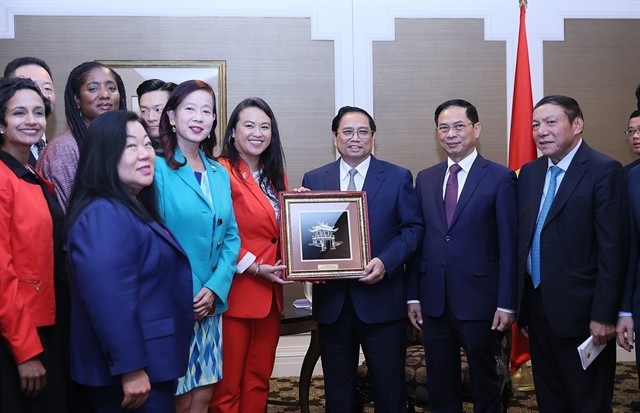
(325, 235)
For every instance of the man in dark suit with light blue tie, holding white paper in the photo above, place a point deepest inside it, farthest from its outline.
(572, 254)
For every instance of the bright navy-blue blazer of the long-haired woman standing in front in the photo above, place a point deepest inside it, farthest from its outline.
(131, 302)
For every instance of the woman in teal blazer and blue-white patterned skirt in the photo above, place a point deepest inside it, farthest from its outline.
(194, 199)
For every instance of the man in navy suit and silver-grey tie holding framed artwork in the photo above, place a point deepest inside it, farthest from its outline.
(370, 311)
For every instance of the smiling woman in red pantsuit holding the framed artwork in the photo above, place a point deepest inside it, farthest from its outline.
(252, 153)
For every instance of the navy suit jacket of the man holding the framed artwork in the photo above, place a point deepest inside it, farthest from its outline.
(395, 229)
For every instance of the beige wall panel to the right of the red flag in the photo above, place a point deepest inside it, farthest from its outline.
(598, 64)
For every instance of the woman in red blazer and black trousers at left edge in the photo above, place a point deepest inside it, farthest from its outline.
(33, 293)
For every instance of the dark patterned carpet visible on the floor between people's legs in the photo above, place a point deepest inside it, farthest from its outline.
(626, 398)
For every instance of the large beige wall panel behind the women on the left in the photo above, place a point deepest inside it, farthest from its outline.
(273, 58)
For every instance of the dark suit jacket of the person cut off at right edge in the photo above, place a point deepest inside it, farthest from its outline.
(631, 297)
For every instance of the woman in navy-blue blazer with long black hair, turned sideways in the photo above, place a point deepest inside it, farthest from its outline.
(131, 305)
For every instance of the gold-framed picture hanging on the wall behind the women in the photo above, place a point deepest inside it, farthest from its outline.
(214, 72)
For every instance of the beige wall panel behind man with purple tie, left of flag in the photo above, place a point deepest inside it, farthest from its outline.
(433, 60)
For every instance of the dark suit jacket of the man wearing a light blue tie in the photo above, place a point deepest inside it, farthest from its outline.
(583, 245)
